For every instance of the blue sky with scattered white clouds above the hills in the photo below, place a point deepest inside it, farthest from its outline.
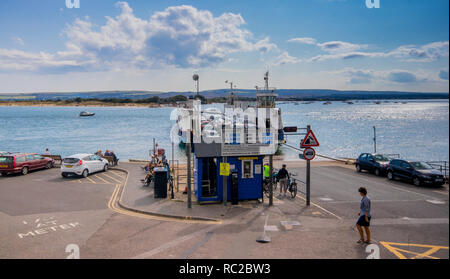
(102, 45)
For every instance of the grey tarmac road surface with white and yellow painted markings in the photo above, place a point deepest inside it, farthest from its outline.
(42, 213)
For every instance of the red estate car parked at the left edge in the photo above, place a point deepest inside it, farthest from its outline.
(23, 163)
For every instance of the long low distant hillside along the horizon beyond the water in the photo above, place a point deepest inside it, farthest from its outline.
(283, 94)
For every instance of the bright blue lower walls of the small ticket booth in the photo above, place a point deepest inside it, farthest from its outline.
(245, 180)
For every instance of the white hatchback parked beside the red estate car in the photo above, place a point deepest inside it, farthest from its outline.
(83, 164)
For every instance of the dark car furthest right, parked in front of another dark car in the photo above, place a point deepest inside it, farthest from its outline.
(419, 173)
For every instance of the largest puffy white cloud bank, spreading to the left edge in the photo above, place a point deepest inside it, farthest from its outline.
(180, 36)
